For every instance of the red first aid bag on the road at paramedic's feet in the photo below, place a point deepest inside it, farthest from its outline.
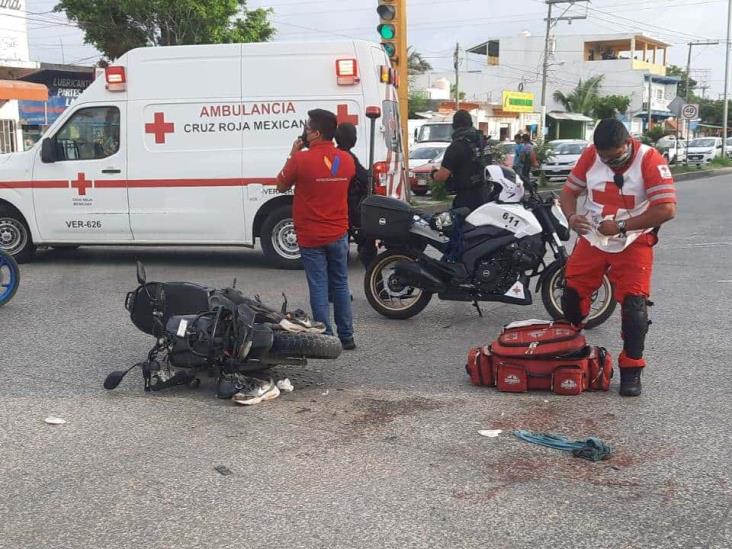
(535, 355)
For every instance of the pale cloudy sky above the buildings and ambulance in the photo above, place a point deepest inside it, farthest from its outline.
(435, 26)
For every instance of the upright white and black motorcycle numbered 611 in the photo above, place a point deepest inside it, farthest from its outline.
(489, 254)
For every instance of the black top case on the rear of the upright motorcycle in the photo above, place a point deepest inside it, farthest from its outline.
(386, 218)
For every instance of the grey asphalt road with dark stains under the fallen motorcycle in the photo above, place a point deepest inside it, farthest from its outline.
(377, 449)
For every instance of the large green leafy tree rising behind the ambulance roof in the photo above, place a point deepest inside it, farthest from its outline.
(116, 27)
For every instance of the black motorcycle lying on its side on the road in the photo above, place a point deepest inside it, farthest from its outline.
(222, 332)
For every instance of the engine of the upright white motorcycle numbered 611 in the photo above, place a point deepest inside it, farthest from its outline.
(496, 274)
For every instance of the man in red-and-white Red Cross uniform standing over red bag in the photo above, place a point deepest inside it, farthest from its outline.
(629, 194)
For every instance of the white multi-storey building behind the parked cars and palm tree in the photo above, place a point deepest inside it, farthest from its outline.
(626, 61)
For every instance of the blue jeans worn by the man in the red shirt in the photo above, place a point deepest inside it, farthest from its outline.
(326, 268)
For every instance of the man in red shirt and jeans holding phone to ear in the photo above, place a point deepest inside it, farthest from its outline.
(321, 175)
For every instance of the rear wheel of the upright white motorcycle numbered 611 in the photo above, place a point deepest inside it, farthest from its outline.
(386, 294)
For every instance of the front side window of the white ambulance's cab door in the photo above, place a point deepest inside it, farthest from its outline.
(90, 134)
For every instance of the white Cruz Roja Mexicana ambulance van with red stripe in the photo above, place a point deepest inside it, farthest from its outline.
(181, 145)
